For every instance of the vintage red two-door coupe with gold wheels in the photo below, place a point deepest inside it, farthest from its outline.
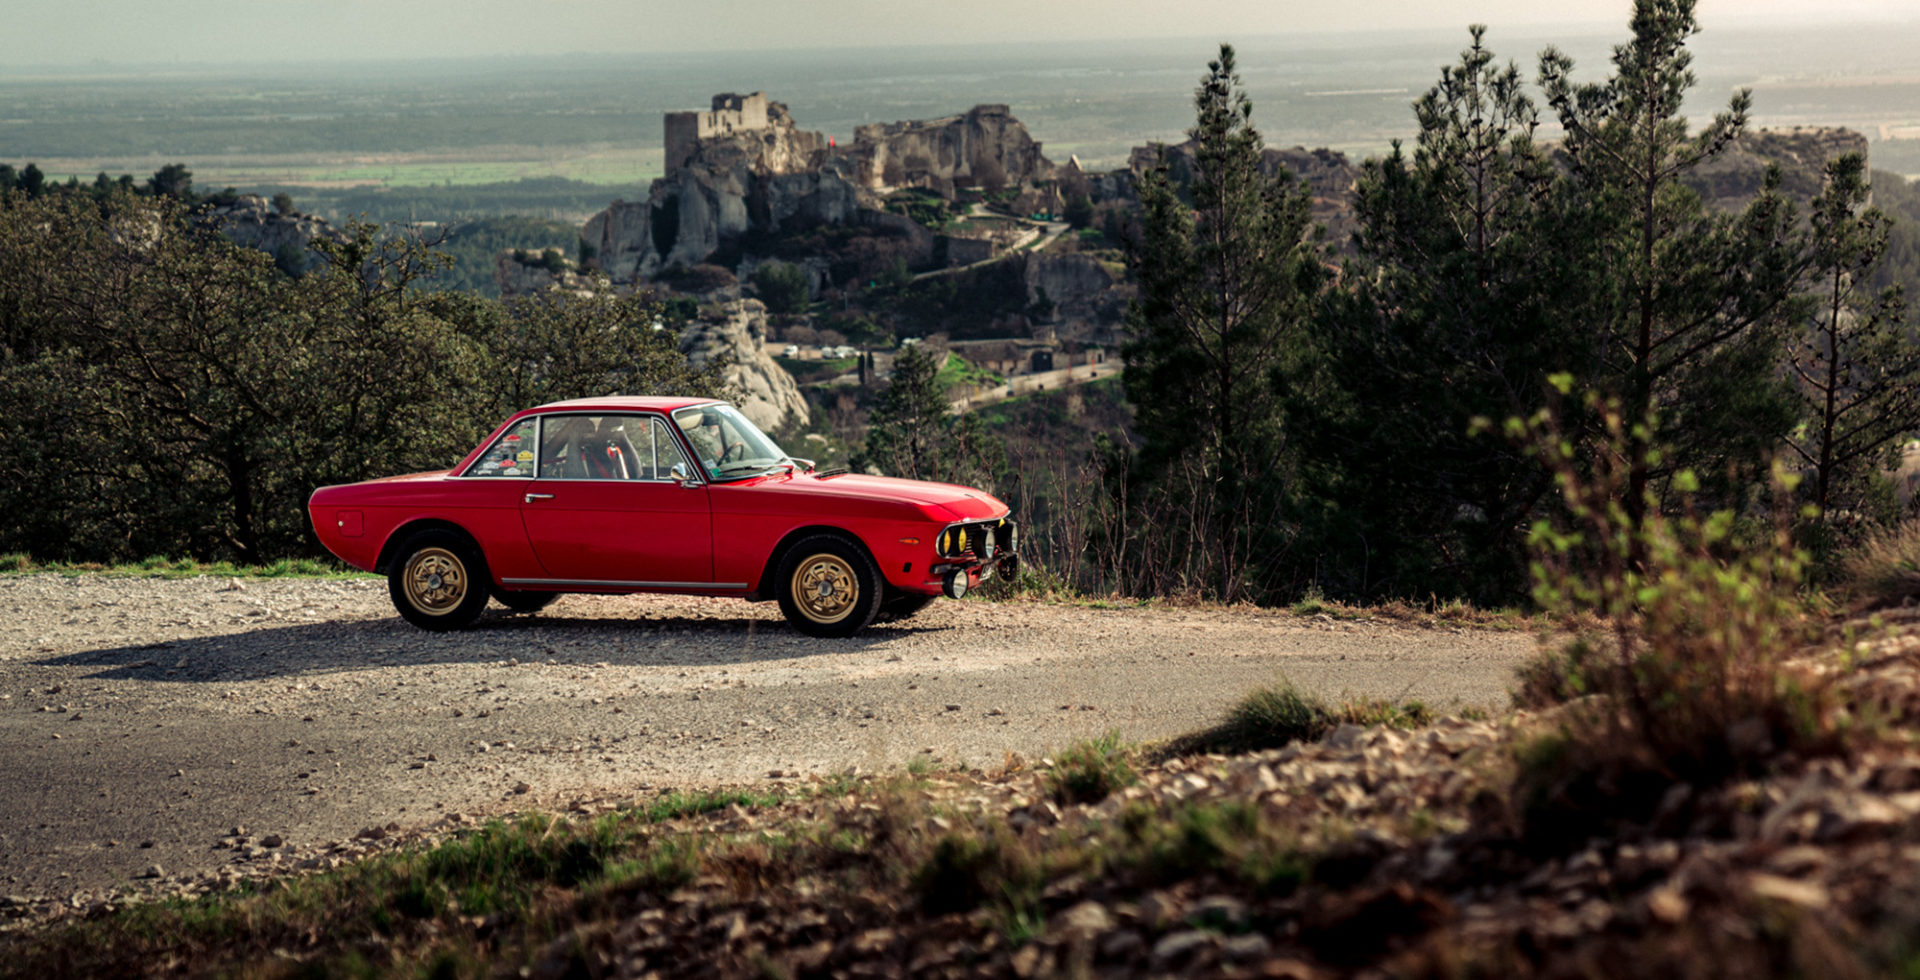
(661, 495)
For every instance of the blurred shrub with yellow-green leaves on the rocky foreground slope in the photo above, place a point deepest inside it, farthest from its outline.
(1689, 660)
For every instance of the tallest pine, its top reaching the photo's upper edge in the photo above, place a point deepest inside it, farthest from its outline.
(1689, 306)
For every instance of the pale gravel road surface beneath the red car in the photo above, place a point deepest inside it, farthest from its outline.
(143, 720)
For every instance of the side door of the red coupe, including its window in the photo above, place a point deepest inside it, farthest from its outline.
(610, 508)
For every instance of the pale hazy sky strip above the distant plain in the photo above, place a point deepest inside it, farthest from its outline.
(224, 32)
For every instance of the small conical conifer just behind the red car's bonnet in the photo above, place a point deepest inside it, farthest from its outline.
(915, 433)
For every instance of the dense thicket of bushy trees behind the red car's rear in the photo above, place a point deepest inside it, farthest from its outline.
(172, 393)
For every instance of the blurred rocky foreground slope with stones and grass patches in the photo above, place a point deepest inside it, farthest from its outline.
(1370, 852)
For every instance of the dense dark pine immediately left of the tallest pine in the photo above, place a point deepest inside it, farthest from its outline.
(1456, 310)
